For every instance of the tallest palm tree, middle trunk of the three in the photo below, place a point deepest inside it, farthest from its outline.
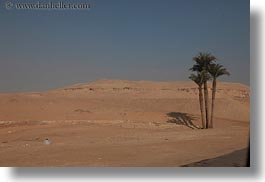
(202, 62)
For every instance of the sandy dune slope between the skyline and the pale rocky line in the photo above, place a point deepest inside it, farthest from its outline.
(94, 99)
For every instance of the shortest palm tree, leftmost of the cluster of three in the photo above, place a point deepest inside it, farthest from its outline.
(199, 80)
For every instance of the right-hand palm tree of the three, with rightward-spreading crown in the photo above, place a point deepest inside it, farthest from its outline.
(215, 70)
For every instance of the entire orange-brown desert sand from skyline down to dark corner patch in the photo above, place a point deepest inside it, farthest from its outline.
(121, 123)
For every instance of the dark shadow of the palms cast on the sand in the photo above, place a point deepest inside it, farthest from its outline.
(180, 118)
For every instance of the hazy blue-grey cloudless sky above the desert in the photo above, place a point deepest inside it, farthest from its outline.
(121, 39)
